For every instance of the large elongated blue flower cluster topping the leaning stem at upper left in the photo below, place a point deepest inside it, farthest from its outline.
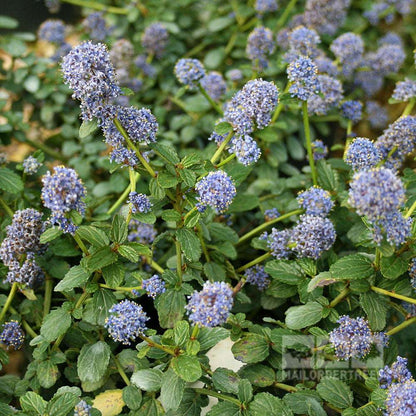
(88, 71)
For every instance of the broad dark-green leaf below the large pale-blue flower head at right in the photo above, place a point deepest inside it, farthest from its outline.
(355, 266)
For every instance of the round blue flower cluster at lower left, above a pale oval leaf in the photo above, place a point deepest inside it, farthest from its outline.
(127, 321)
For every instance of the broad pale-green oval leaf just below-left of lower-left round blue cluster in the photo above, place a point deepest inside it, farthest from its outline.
(93, 362)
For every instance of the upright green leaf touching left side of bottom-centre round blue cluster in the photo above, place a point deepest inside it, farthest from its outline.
(170, 307)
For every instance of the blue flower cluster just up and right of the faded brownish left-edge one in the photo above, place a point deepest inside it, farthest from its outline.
(63, 192)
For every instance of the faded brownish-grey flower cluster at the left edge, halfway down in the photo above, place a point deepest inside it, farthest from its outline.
(21, 245)
